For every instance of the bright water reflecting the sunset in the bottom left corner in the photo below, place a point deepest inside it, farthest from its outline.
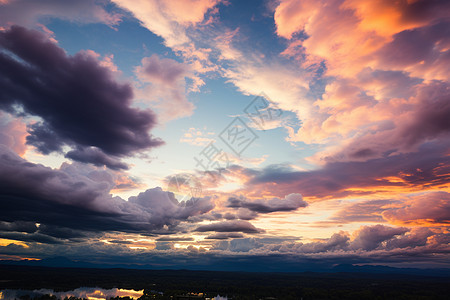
(83, 292)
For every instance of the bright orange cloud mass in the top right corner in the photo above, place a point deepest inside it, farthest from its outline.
(330, 29)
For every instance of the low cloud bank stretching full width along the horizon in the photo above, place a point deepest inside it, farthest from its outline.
(391, 247)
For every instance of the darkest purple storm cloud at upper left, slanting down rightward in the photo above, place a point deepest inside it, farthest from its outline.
(80, 103)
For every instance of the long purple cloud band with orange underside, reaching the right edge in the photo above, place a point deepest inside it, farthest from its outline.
(426, 168)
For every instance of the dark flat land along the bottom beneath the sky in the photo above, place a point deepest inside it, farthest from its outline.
(235, 285)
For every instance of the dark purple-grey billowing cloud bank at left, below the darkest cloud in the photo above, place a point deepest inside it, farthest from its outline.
(70, 205)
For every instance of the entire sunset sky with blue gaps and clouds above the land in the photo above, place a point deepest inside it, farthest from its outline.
(214, 133)
